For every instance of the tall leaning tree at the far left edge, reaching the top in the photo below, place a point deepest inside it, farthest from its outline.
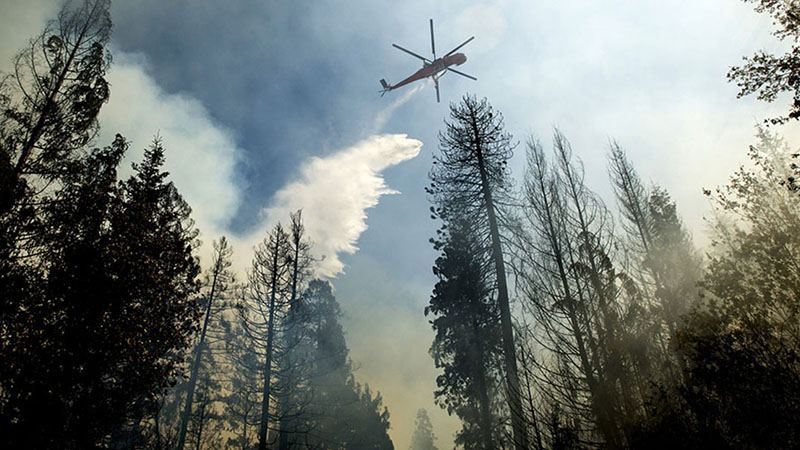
(48, 110)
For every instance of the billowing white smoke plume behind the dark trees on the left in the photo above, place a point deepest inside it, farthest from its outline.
(201, 154)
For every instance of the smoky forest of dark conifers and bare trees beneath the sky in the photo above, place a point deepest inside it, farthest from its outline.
(562, 320)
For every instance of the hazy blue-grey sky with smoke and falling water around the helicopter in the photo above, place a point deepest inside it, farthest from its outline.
(269, 106)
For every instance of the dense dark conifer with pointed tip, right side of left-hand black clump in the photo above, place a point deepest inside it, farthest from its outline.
(155, 252)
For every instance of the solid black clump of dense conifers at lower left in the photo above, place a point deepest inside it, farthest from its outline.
(114, 306)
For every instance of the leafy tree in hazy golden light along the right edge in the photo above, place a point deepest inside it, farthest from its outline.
(738, 349)
